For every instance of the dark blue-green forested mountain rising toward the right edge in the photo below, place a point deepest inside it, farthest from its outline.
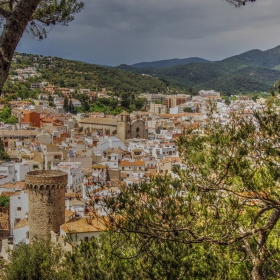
(254, 70)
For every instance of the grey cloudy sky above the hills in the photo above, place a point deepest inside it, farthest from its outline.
(111, 32)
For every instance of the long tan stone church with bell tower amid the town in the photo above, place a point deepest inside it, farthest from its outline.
(122, 126)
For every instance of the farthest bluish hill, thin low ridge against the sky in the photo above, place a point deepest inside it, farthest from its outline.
(168, 63)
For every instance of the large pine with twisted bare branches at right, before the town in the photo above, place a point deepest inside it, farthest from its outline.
(226, 197)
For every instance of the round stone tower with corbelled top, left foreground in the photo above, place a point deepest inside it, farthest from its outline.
(46, 201)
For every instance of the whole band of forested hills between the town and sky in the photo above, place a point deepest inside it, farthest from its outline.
(251, 71)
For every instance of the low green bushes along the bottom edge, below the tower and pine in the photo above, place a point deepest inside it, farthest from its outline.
(103, 258)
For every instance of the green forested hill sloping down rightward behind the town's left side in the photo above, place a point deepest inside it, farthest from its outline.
(75, 74)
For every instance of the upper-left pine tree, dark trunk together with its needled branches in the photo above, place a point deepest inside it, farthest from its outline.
(33, 16)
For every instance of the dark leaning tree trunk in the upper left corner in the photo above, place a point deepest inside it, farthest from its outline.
(16, 23)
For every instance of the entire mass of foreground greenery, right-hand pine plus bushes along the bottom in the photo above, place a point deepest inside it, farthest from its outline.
(216, 217)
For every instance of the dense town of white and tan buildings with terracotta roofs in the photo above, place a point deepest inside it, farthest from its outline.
(100, 153)
